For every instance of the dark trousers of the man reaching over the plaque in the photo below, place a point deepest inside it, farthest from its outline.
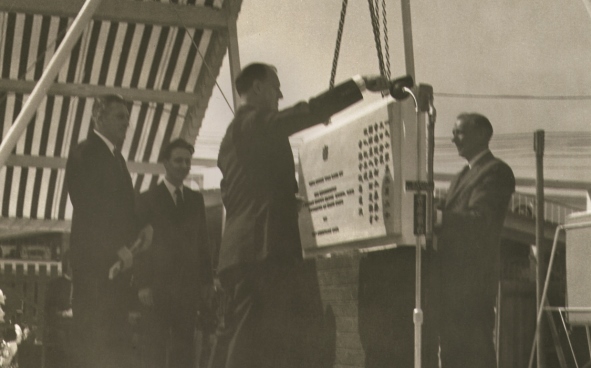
(273, 318)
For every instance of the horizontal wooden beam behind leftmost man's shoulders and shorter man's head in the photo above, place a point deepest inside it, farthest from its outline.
(60, 163)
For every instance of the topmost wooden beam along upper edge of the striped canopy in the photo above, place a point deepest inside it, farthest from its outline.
(145, 12)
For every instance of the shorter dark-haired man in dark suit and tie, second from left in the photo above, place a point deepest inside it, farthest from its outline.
(174, 276)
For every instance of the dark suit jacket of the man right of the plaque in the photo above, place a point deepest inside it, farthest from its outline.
(473, 215)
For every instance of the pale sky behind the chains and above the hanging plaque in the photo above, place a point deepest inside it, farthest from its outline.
(491, 47)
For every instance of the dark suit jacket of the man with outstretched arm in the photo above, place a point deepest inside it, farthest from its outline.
(258, 186)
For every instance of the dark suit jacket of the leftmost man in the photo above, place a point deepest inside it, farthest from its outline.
(103, 220)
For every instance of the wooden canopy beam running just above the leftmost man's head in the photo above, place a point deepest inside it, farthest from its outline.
(88, 90)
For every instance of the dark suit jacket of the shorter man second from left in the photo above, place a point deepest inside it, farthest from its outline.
(178, 262)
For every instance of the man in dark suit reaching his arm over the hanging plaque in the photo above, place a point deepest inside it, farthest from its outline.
(260, 262)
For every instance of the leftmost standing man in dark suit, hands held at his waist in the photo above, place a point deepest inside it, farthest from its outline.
(103, 230)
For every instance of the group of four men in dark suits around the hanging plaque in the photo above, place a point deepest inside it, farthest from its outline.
(153, 250)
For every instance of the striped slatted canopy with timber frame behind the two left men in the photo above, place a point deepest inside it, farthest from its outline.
(161, 55)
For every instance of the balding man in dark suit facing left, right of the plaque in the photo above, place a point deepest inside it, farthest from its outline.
(472, 219)
